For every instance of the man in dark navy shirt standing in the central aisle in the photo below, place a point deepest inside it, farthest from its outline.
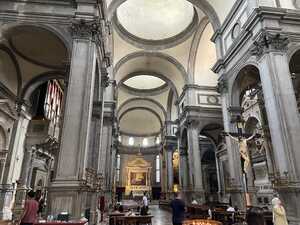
(178, 209)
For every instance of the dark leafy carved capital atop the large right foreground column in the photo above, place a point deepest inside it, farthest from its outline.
(267, 42)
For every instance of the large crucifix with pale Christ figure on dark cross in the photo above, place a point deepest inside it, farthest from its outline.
(242, 138)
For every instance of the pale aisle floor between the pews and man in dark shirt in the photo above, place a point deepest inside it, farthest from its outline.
(161, 217)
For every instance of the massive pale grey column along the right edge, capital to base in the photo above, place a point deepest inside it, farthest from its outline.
(283, 118)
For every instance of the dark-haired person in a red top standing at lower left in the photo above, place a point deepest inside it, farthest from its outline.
(31, 208)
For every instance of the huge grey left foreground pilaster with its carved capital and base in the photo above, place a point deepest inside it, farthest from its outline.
(66, 192)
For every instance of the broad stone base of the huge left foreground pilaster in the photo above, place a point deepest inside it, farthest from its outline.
(67, 196)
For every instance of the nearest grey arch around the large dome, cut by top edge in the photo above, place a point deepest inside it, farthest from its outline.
(204, 5)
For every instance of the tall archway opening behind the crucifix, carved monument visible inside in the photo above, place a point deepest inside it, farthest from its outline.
(247, 94)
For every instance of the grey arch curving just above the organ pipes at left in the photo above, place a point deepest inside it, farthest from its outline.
(38, 80)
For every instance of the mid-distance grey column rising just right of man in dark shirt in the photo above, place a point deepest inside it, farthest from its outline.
(194, 157)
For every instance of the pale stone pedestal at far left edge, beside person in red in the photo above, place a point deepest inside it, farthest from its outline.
(6, 202)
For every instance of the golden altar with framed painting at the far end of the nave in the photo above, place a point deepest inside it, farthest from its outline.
(138, 177)
